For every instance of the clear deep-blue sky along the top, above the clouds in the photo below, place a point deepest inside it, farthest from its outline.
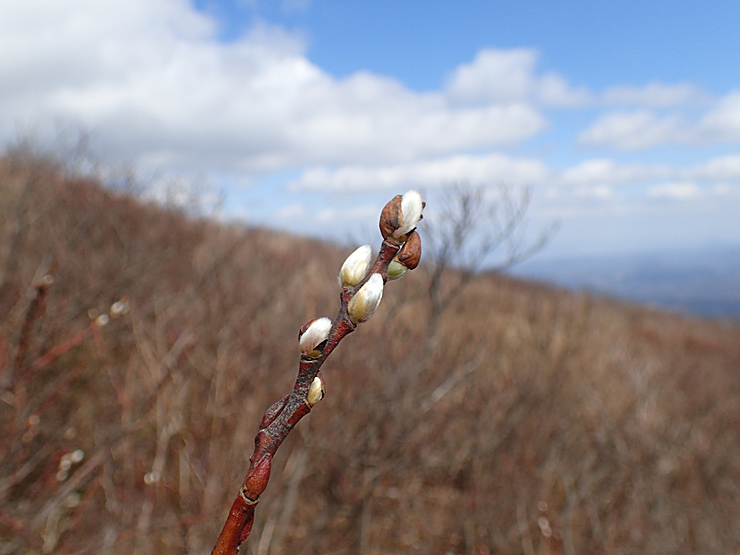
(593, 43)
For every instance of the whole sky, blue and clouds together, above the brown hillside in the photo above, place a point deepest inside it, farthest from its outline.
(623, 118)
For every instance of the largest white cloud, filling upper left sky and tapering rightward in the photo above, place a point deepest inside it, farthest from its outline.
(154, 84)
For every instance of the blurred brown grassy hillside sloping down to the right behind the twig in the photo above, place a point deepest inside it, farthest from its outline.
(531, 420)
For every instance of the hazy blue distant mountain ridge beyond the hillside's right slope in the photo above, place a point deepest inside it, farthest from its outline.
(701, 282)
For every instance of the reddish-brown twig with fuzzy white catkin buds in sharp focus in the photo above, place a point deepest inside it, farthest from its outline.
(361, 293)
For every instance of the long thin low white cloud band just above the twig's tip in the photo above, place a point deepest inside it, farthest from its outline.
(600, 179)
